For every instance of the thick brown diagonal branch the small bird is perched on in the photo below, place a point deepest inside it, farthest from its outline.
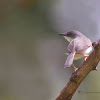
(78, 76)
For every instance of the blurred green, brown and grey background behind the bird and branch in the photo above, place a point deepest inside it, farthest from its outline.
(32, 55)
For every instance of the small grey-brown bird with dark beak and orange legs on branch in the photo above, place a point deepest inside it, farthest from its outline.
(79, 46)
